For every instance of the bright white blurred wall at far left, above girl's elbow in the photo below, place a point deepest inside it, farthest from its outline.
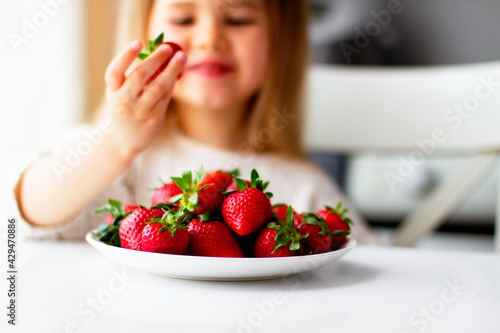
(42, 78)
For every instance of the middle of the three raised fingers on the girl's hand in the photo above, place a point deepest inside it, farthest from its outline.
(141, 76)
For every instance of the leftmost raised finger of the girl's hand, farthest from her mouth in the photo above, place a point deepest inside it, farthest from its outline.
(115, 74)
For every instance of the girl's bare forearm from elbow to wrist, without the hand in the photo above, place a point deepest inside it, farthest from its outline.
(50, 192)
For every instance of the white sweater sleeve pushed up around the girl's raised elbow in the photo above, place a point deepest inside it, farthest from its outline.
(74, 229)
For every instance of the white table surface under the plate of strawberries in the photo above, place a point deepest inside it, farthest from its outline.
(71, 287)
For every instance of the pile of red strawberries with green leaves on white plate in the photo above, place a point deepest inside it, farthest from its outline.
(219, 215)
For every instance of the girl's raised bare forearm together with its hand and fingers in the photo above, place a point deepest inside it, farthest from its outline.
(48, 194)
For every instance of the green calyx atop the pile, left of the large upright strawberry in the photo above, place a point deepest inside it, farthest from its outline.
(189, 198)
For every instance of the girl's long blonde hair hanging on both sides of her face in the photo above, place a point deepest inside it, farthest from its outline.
(283, 89)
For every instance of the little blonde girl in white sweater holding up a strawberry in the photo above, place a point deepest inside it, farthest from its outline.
(238, 104)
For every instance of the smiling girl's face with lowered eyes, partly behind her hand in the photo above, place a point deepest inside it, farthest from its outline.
(226, 43)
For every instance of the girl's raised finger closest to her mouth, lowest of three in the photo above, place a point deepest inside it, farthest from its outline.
(163, 85)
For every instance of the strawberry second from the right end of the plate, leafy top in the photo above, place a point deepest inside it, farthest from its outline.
(315, 230)
